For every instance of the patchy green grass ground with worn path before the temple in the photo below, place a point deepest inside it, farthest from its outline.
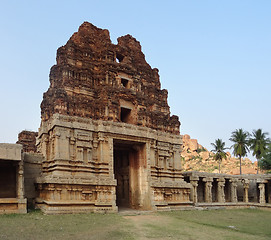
(212, 224)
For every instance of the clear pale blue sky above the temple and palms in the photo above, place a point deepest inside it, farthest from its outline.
(214, 58)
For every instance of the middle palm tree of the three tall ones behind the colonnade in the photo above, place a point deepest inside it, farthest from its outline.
(240, 147)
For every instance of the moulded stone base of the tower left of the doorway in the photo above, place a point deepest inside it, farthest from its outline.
(69, 196)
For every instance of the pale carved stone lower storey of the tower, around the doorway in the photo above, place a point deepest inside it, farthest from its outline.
(78, 169)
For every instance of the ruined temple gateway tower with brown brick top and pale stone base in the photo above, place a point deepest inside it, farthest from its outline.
(106, 132)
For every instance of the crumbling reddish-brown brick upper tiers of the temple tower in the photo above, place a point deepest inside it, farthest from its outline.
(96, 79)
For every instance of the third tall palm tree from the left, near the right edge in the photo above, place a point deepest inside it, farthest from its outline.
(258, 144)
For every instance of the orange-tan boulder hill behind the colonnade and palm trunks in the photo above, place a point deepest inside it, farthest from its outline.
(197, 158)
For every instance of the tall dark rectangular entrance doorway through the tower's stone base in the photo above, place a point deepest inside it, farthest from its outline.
(130, 172)
